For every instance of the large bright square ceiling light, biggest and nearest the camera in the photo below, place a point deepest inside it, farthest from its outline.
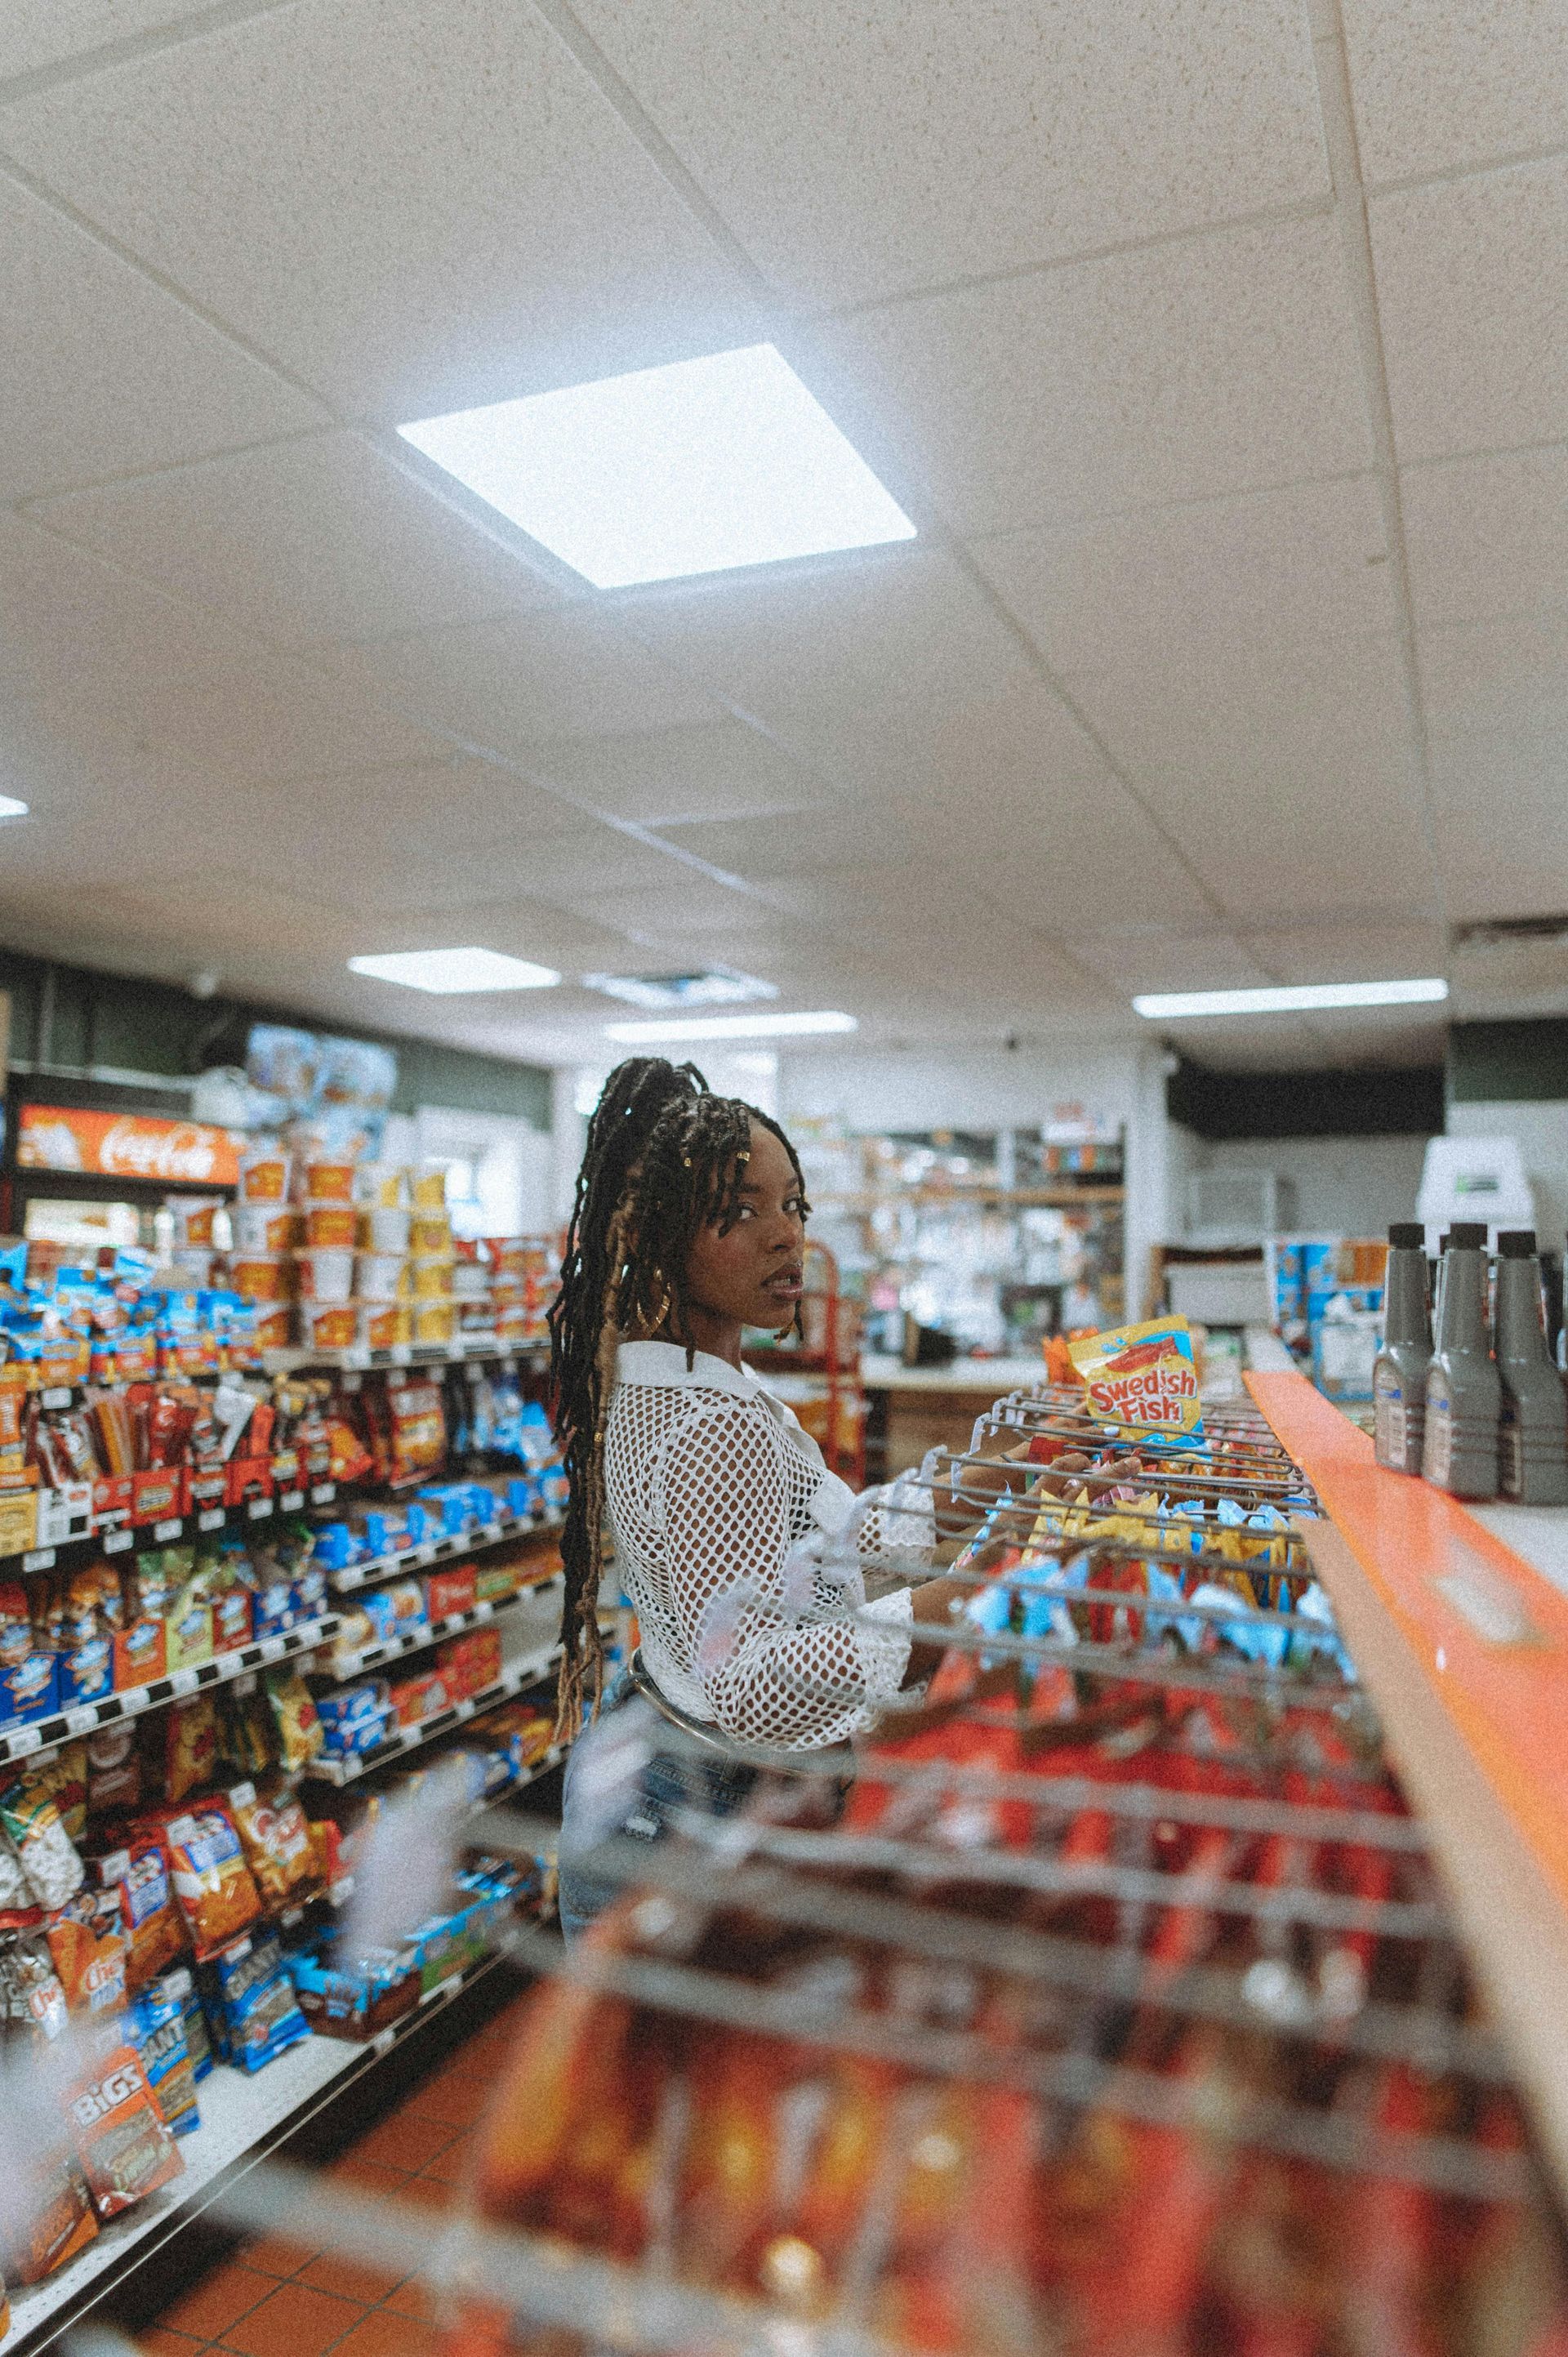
(676, 470)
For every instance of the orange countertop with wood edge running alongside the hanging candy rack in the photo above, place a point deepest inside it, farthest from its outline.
(1458, 1620)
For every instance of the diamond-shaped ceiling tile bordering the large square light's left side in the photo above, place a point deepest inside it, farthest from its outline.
(305, 541)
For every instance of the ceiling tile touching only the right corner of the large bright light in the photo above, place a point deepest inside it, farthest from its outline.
(1267, 567)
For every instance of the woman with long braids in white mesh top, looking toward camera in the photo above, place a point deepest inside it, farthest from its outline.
(756, 1646)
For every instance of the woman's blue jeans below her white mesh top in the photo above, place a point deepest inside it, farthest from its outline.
(626, 1781)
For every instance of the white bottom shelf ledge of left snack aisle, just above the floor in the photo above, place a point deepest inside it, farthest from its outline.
(242, 2122)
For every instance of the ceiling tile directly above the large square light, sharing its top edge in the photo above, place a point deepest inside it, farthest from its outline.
(414, 204)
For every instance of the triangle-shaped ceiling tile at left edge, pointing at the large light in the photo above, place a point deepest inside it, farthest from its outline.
(105, 371)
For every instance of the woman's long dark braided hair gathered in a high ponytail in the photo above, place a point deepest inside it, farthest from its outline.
(664, 1158)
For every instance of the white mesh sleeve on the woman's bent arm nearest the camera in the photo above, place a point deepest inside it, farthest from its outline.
(777, 1653)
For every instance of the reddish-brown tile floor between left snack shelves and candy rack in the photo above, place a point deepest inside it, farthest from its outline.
(277, 2299)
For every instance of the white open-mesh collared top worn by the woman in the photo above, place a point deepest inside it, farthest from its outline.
(725, 1524)
